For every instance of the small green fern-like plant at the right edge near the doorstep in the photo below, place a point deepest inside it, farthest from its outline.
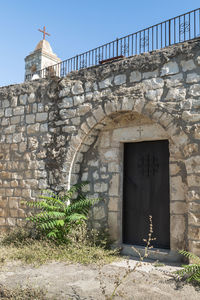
(192, 271)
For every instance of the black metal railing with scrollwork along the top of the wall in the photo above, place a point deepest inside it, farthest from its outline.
(176, 30)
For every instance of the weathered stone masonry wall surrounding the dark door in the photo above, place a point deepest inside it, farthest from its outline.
(55, 132)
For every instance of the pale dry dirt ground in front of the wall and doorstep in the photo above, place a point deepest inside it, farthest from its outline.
(75, 281)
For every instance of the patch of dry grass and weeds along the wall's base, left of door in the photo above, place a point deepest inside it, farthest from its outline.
(19, 245)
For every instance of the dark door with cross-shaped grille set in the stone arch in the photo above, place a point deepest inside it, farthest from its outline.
(146, 192)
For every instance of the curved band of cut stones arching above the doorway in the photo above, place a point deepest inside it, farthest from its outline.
(99, 116)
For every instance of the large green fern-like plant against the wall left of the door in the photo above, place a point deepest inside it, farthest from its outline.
(56, 215)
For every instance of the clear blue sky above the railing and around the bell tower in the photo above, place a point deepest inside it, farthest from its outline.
(75, 26)
